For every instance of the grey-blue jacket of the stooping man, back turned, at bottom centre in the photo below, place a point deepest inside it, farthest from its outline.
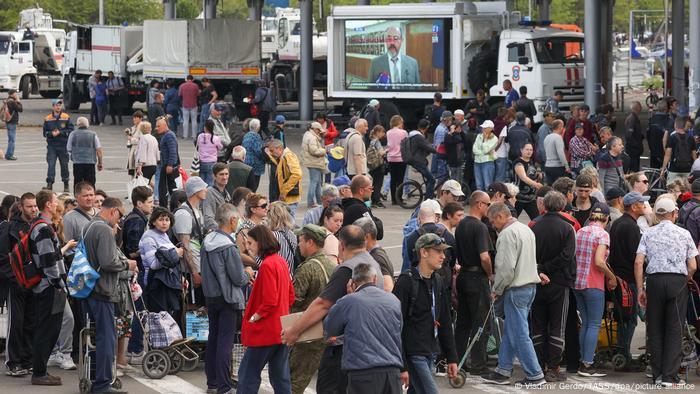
(371, 321)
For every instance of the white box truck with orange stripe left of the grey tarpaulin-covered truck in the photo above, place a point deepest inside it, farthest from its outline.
(105, 48)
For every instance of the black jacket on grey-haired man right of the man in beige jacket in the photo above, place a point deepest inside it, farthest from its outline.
(556, 249)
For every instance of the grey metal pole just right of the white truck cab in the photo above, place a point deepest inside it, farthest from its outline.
(592, 47)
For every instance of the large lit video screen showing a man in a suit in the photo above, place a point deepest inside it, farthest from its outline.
(396, 54)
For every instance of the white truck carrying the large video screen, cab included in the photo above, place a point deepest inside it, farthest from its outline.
(402, 54)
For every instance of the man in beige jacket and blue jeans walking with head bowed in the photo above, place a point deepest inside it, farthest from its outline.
(515, 283)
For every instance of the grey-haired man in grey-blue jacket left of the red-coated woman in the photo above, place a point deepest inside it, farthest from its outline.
(223, 277)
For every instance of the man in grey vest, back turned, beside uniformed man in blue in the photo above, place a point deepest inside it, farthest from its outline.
(85, 151)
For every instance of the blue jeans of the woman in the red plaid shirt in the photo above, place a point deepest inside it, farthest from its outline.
(590, 303)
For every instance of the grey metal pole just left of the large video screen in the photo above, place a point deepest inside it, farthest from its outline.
(306, 100)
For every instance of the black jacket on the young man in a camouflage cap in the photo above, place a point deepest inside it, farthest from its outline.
(418, 335)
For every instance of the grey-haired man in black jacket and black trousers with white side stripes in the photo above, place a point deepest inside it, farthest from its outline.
(556, 250)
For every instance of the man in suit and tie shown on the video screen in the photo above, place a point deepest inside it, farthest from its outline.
(392, 67)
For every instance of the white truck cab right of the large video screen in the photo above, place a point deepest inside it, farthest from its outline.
(545, 60)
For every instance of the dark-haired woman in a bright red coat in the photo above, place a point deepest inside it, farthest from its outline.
(270, 299)
